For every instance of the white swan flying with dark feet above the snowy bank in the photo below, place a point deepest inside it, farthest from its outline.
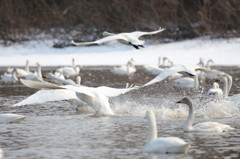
(124, 38)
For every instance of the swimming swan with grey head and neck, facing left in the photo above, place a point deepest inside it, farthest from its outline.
(201, 127)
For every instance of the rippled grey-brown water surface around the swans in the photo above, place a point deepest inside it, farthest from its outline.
(55, 130)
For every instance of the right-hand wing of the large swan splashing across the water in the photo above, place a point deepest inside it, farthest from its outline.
(113, 92)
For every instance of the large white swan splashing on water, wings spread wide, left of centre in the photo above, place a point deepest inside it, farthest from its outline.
(97, 97)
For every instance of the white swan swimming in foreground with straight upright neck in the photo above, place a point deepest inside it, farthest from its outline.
(162, 144)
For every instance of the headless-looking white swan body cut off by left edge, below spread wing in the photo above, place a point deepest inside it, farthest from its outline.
(11, 118)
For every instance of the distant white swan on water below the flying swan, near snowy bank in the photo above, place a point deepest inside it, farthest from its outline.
(125, 69)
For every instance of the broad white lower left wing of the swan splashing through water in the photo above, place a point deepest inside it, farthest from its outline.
(43, 96)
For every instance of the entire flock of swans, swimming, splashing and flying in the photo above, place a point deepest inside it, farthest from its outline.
(95, 100)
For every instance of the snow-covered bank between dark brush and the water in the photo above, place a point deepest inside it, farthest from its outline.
(222, 51)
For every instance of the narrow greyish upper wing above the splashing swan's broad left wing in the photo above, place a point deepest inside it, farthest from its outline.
(39, 85)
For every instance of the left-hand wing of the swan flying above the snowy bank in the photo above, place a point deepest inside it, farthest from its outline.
(103, 40)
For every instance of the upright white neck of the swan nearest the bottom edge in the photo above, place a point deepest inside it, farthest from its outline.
(152, 130)
